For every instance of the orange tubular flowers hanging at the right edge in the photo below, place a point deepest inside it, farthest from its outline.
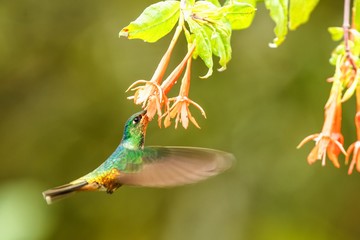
(345, 83)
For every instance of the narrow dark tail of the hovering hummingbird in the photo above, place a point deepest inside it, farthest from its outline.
(63, 191)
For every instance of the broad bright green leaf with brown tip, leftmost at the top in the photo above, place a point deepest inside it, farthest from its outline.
(155, 22)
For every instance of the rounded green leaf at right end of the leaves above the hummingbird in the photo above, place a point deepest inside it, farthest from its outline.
(240, 15)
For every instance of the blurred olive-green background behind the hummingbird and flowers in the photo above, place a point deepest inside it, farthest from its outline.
(63, 74)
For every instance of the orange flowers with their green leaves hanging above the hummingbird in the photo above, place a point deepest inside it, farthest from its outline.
(207, 26)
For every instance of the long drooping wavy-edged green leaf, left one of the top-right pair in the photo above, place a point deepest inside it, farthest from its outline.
(279, 14)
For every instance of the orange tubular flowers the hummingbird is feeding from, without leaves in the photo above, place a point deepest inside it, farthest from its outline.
(152, 94)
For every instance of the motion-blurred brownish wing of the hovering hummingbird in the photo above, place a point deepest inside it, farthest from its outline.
(174, 166)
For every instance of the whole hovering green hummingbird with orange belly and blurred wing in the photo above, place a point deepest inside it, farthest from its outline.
(134, 164)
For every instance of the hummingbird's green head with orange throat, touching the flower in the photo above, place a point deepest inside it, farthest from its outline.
(135, 130)
